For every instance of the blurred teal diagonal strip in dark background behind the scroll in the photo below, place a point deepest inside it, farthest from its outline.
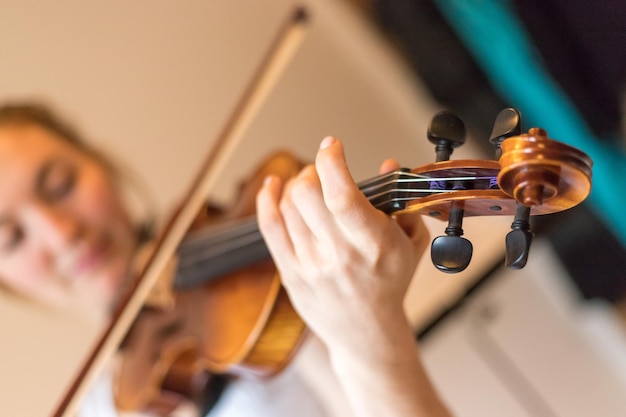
(498, 41)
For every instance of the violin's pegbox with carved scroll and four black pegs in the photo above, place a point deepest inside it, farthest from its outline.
(532, 175)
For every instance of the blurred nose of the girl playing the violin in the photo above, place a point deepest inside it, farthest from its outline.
(54, 226)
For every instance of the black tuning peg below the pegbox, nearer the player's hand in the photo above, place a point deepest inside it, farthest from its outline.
(452, 253)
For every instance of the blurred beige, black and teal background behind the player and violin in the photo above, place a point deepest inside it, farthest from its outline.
(153, 83)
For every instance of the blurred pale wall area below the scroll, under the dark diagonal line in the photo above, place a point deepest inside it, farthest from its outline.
(526, 346)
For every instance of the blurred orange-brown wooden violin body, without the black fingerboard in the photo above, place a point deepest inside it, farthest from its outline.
(239, 323)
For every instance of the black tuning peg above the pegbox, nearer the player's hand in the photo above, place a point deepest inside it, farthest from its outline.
(446, 131)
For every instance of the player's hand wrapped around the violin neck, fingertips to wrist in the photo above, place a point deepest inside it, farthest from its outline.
(345, 264)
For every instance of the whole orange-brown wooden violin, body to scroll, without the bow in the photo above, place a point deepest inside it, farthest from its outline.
(235, 318)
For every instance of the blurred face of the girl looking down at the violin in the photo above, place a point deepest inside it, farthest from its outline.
(65, 238)
